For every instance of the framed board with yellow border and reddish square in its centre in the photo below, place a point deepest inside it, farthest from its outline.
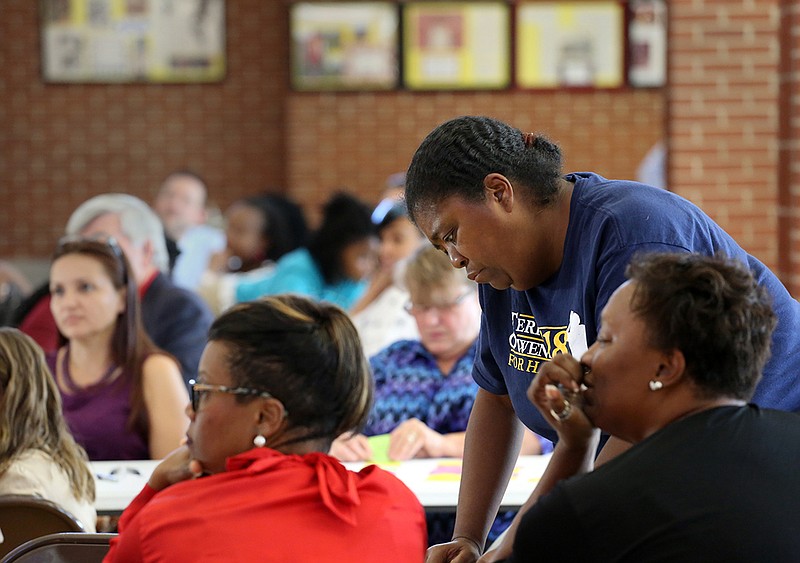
(456, 45)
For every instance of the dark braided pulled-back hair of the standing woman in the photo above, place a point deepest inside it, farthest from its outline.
(456, 156)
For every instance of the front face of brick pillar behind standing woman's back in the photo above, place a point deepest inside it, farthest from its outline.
(723, 117)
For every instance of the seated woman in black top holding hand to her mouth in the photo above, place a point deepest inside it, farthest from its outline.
(681, 347)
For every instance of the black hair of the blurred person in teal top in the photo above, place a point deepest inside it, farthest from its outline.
(345, 220)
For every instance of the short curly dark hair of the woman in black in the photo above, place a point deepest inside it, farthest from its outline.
(712, 309)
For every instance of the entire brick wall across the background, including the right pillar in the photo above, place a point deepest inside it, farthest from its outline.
(730, 112)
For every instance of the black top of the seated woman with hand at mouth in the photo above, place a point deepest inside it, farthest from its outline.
(720, 485)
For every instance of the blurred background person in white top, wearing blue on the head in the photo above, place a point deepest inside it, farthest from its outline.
(379, 315)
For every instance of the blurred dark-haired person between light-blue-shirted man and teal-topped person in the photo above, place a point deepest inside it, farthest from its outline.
(259, 230)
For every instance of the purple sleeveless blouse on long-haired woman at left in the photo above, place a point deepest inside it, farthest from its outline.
(97, 416)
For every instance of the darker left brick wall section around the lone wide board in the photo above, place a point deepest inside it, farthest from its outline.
(60, 144)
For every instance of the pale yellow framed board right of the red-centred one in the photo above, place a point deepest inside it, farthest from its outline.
(570, 44)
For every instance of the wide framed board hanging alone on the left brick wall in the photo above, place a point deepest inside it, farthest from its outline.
(133, 40)
